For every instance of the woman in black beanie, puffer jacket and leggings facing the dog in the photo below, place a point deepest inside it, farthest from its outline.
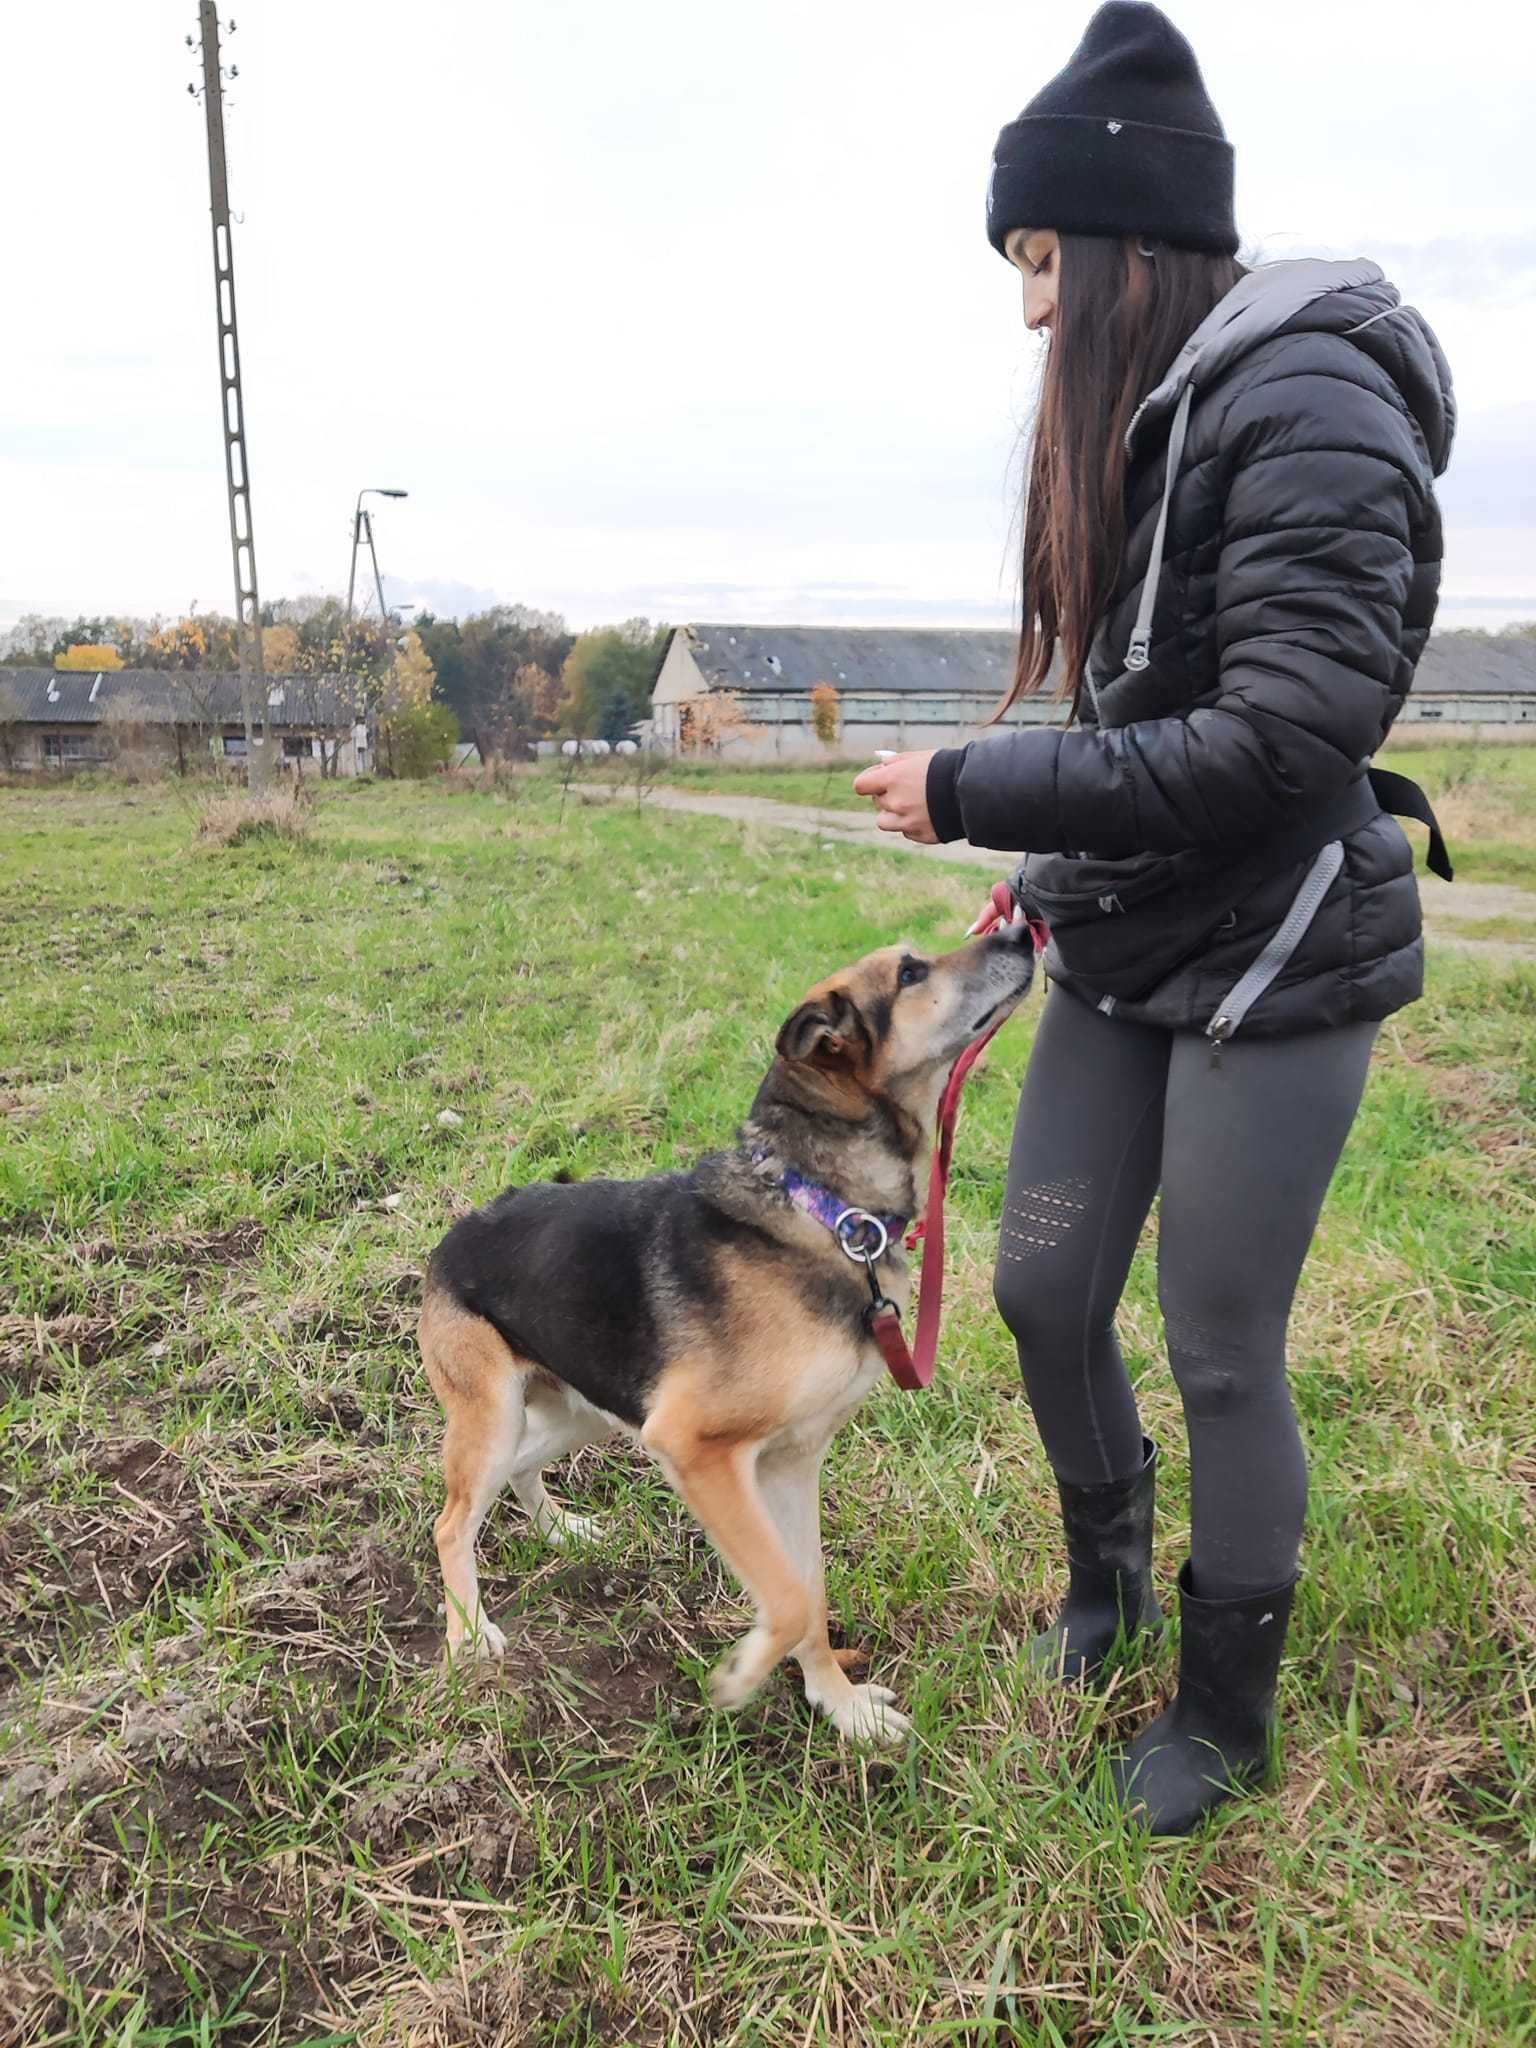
(1232, 554)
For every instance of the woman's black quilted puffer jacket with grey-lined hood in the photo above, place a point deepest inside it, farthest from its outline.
(1299, 581)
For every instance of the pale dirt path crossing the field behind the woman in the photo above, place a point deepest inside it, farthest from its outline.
(1449, 908)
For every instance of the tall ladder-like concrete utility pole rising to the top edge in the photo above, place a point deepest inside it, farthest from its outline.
(243, 542)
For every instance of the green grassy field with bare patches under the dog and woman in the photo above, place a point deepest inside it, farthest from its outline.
(241, 1799)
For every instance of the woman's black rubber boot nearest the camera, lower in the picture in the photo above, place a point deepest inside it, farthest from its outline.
(1213, 1742)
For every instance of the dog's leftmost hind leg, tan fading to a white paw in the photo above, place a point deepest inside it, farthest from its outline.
(482, 1390)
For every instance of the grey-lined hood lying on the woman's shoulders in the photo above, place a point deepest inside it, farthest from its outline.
(1308, 296)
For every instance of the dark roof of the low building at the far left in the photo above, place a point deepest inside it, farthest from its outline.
(169, 697)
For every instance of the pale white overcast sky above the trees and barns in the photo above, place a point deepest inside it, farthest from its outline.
(675, 308)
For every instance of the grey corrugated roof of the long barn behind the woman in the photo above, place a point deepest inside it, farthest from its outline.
(923, 658)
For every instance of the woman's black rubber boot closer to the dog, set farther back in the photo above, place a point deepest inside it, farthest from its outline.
(1109, 1588)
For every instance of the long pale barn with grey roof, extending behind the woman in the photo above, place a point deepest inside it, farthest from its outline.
(931, 687)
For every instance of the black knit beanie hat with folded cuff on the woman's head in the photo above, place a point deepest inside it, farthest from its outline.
(1123, 142)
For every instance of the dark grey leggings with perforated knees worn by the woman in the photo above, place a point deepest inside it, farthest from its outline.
(1244, 1154)
